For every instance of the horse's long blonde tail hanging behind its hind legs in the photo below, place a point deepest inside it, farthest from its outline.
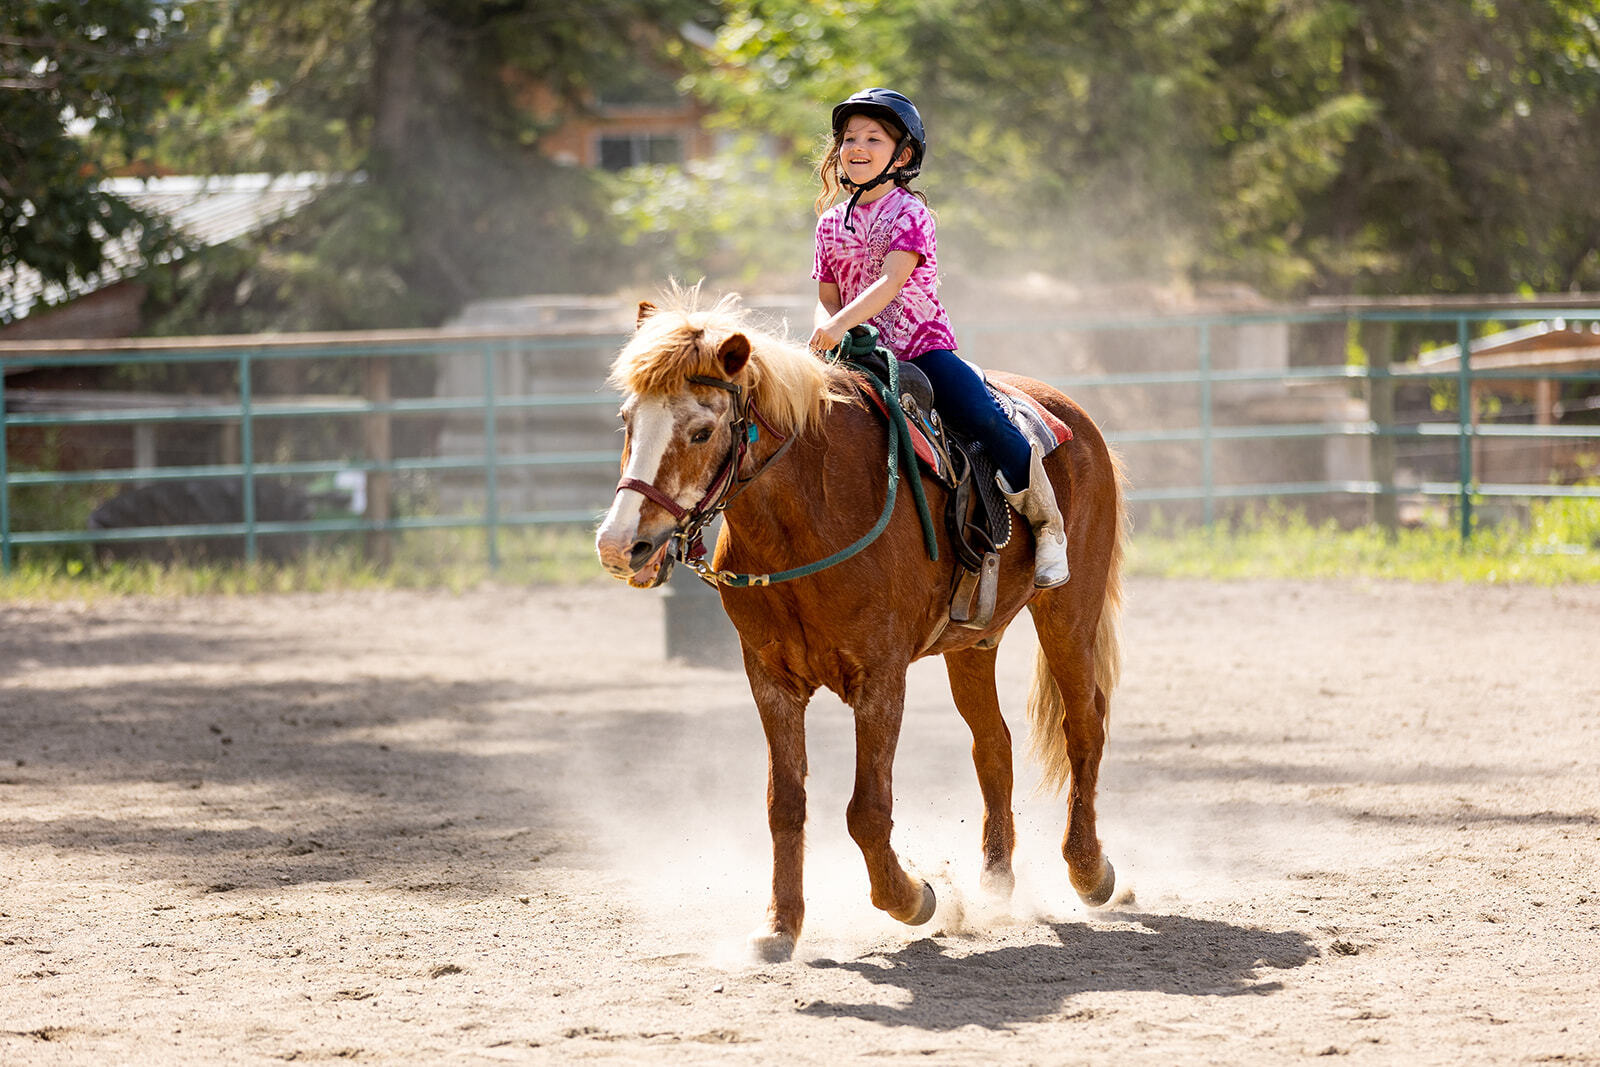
(1047, 708)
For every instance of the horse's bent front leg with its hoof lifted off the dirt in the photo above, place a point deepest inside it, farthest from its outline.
(871, 815)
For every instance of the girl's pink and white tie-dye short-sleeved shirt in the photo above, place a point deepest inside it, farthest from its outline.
(898, 222)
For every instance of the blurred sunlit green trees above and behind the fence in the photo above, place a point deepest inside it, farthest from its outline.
(1298, 146)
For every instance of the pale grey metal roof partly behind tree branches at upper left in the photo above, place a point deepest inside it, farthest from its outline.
(206, 210)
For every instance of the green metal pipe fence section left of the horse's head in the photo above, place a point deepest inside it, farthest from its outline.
(489, 409)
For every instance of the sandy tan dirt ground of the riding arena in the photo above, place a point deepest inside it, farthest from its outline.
(1359, 820)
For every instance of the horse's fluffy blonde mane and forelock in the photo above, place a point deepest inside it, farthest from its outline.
(791, 386)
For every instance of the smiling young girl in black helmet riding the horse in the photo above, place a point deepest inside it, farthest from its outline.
(876, 263)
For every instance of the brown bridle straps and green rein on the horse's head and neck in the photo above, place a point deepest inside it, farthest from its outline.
(689, 545)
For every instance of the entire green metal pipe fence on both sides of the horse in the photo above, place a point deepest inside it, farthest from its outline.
(489, 409)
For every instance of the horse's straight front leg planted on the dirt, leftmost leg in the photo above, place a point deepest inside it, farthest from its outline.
(783, 721)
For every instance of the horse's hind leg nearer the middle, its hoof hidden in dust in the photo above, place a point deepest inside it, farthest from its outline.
(974, 687)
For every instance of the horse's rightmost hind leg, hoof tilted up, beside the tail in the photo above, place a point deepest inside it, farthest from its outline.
(1070, 650)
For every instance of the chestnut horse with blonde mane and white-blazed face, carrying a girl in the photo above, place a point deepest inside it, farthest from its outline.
(724, 417)
